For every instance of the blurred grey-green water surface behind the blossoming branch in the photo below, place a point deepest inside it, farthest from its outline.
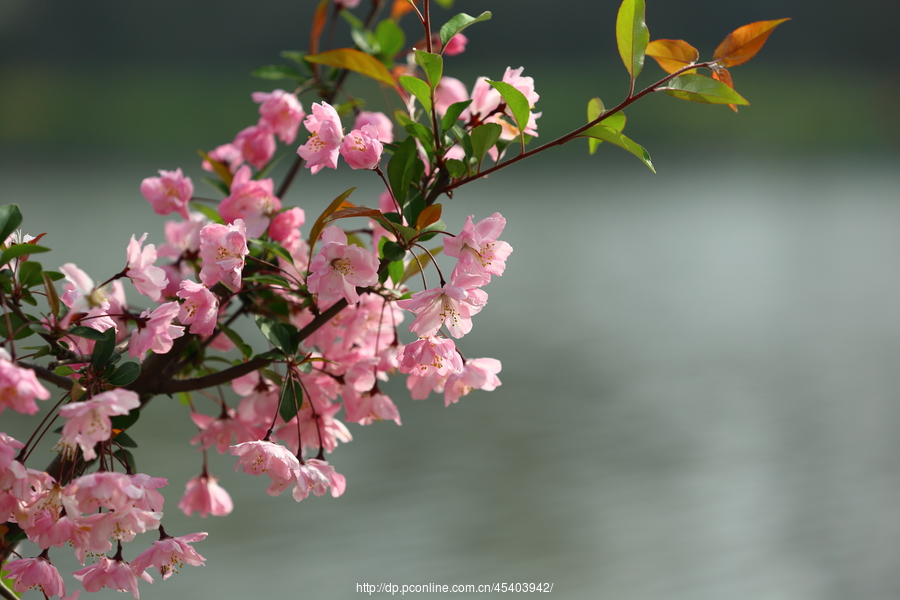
(700, 395)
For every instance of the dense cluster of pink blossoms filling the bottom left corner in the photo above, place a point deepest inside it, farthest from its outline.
(90, 512)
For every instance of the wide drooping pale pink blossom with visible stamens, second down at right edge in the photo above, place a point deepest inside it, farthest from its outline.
(449, 305)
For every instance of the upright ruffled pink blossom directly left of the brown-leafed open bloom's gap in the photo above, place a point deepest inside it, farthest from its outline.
(223, 248)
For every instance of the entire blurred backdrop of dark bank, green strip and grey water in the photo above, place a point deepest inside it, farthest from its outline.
(700, 395)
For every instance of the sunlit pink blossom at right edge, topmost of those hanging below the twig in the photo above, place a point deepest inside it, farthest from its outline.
(479, 251)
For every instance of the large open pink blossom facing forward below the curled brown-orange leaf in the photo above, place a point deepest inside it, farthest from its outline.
(338, 269)
